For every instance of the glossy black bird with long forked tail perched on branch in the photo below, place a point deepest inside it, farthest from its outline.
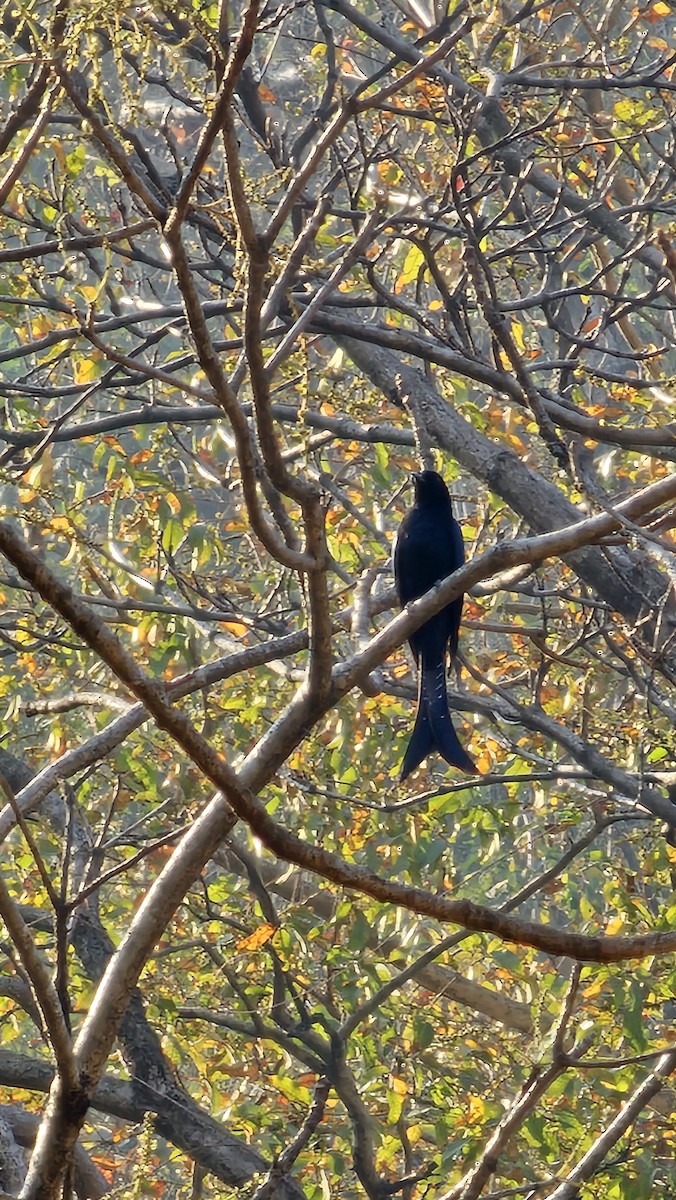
(428, 548)
